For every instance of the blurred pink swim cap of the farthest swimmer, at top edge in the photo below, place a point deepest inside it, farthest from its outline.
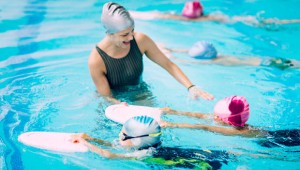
(192, 9)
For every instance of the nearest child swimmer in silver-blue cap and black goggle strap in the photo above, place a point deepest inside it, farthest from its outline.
(142, 135)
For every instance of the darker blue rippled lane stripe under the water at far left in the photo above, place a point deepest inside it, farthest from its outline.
(20, 83)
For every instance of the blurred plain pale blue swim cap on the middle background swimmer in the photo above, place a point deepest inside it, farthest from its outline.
(203, 50)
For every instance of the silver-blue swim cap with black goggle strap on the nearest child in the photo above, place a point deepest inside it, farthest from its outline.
(143, 125)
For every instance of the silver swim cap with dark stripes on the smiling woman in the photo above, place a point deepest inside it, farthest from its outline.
(115, 18)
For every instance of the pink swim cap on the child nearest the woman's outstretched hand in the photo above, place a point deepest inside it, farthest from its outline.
(233, 110)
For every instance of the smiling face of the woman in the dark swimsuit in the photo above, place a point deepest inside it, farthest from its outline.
(122, 39)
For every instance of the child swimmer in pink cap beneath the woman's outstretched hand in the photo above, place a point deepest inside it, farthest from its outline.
(235, 111)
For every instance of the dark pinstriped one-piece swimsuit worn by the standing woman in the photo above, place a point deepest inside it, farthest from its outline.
(124, 71)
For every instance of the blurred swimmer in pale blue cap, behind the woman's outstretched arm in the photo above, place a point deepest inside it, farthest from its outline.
(205, 53)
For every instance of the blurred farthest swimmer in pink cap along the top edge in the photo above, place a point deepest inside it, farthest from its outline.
(193, 11)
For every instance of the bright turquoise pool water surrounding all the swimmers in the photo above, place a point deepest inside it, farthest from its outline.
(45, 83)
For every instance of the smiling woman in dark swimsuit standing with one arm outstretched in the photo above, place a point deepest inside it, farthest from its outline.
(117, 60)
